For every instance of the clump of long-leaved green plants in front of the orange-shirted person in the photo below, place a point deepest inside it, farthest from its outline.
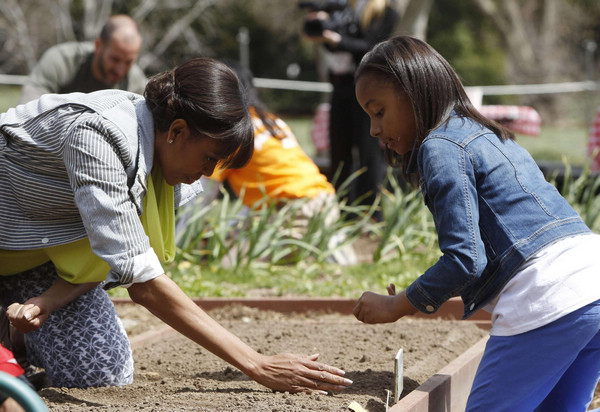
(226, 232)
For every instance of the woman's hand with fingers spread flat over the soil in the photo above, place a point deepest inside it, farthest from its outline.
(294, 373)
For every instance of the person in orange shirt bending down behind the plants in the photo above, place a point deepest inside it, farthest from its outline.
(280, 170)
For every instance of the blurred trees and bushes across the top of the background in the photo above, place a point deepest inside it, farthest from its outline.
(489, 42)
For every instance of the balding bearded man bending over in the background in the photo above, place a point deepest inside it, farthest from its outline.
(107, 63)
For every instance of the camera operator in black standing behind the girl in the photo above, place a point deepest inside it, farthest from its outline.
(349, 30)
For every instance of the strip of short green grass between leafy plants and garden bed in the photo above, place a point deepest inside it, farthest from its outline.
(317, 280)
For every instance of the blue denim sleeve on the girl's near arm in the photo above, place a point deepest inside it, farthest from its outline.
(449, 189)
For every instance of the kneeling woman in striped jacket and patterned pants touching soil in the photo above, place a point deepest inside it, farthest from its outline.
(88, 185)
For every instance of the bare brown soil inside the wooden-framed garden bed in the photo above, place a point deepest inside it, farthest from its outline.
(174, 374)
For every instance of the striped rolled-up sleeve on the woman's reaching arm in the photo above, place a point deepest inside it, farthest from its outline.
(95, 159)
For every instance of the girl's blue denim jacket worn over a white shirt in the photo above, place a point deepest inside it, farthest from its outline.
(493, 209)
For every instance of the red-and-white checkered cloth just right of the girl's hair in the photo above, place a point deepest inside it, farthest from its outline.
(519, 119)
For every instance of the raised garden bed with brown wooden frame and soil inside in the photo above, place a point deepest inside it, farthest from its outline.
(173, 374)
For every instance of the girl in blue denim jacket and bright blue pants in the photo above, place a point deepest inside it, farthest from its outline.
(510, 242)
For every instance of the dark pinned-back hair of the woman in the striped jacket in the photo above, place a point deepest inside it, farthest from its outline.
(207, 95)
